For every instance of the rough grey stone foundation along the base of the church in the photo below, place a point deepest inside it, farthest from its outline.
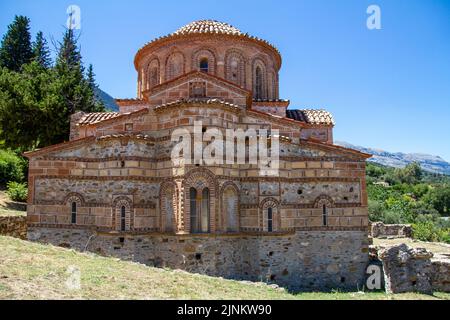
(304, 260)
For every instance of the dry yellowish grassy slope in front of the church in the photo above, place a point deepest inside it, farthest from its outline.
(35, 271)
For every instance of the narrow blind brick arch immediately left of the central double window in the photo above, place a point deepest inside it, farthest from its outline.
(168, 188)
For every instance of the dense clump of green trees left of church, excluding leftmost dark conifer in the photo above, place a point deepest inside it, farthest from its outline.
(36, 100)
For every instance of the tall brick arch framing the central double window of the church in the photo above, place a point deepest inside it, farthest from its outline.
(200, 179)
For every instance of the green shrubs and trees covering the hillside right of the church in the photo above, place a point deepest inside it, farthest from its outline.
(412, 196)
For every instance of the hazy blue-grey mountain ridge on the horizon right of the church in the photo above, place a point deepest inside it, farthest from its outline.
(398, 159)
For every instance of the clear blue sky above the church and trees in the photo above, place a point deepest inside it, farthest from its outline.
(387, 88)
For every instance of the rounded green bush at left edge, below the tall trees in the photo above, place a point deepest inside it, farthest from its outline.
(12, 167)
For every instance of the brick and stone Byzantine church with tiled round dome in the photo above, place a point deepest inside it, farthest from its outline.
(113, 188)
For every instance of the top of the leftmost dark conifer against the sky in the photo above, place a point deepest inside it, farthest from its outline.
(15, 49)
